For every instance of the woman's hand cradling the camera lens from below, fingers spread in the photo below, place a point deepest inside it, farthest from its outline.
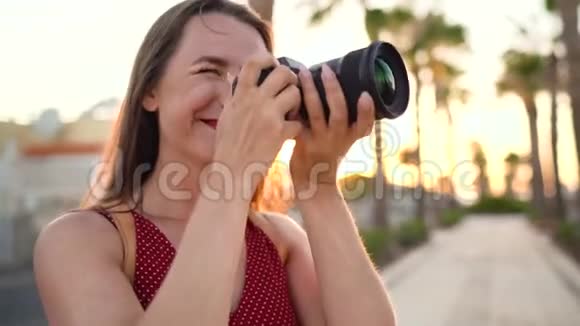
(320, 148)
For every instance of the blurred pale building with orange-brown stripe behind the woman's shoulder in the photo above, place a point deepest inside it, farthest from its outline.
(44, 170)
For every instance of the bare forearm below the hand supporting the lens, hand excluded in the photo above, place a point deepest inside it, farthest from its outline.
(351, 289)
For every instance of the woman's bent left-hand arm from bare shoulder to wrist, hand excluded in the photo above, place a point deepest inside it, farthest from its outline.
(78, 269)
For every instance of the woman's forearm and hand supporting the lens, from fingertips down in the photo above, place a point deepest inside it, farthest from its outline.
(351, 289)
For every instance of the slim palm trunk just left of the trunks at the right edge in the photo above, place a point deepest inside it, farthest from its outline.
(537, 178)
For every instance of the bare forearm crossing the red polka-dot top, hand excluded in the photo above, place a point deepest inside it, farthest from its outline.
(199, 286)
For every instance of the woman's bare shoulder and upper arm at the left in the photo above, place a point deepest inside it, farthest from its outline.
(77, 266)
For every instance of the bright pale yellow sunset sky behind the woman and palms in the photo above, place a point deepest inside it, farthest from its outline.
(69, 54)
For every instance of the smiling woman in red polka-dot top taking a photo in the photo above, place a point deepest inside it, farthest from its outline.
(183, 149)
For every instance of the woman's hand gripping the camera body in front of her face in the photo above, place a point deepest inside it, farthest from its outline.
(252, 126)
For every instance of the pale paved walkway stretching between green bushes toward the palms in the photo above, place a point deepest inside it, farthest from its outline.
(487, 271)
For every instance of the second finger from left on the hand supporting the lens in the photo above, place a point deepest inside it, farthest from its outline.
(338, 119)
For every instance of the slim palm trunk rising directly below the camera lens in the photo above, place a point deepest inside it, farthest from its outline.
(381, 213)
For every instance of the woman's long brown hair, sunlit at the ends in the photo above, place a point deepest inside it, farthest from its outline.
(134, 142)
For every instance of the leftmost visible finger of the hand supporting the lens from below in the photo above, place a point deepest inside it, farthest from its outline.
(312, 102)
